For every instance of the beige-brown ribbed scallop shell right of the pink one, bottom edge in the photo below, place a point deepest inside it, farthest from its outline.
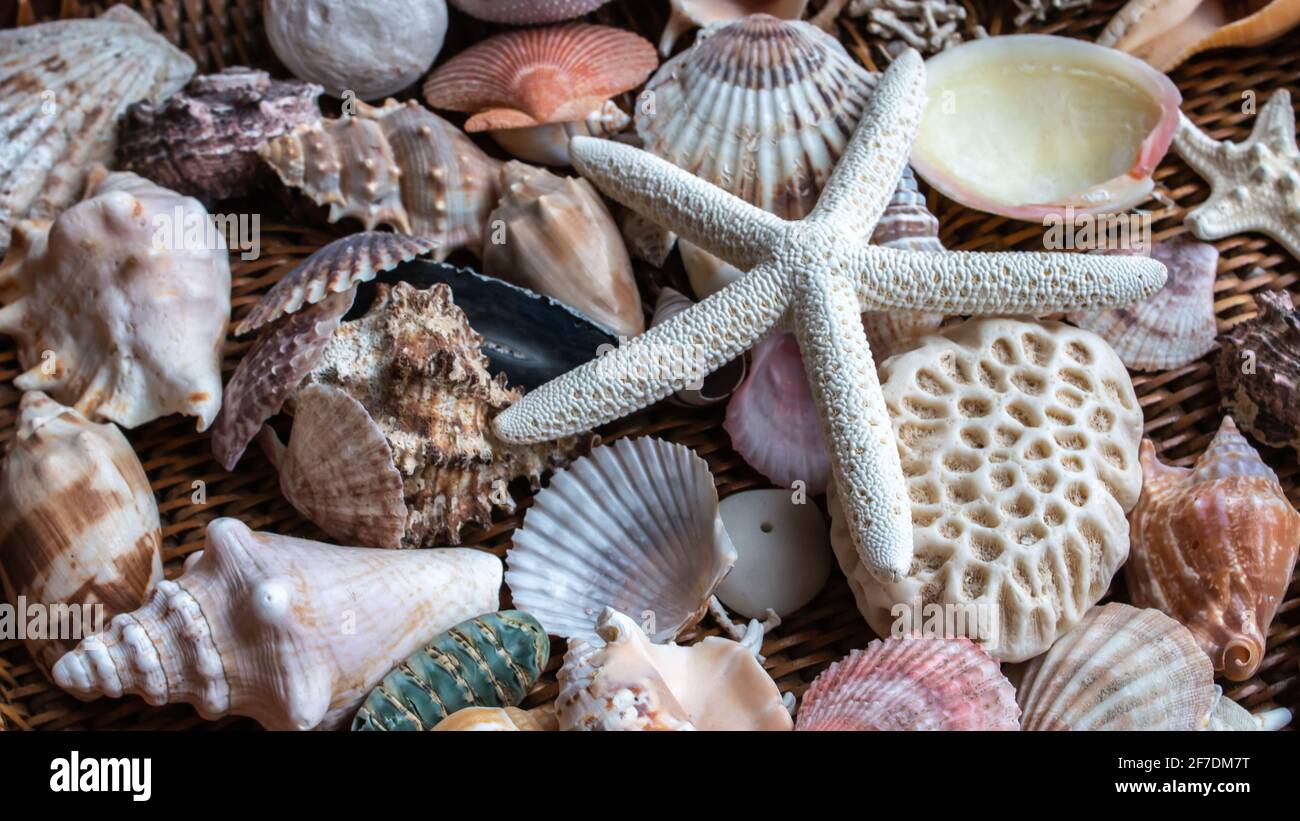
(1120, 668)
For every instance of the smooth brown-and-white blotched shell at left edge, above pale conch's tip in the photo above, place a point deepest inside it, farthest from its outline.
(79, 522)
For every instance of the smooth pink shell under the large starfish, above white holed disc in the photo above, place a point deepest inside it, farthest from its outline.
(773, 423)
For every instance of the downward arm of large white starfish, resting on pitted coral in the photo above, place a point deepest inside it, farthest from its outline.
(856, 423)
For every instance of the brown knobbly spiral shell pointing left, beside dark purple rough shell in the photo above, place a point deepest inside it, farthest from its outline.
(400, 166)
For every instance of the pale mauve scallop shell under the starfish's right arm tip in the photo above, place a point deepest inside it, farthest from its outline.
(1177, 325)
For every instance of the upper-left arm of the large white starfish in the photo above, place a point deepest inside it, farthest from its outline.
(720, 223)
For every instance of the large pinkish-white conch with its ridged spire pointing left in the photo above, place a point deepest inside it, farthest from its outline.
(288, 632)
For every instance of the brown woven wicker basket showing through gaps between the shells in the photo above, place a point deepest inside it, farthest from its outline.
(1181, 406)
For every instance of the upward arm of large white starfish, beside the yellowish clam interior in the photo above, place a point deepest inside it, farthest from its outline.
(869, 172)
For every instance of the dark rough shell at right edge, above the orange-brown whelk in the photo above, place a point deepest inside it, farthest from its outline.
(1259, 372)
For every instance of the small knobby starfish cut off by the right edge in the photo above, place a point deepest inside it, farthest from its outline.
(1255, 186)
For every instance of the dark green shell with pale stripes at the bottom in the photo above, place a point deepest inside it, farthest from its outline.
(488, 662)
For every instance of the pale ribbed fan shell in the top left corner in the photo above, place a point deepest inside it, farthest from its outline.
(63, 88)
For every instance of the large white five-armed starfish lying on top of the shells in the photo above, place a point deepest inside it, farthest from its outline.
(816, 276)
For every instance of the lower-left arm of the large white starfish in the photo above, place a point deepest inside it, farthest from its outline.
(645, 370)
